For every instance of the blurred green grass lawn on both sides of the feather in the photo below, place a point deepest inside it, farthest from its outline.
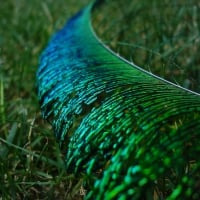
(161, 36)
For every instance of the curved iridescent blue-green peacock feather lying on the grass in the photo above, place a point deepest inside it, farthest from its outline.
(135, 134)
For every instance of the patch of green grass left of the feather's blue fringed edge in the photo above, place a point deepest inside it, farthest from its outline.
(31, 165)
